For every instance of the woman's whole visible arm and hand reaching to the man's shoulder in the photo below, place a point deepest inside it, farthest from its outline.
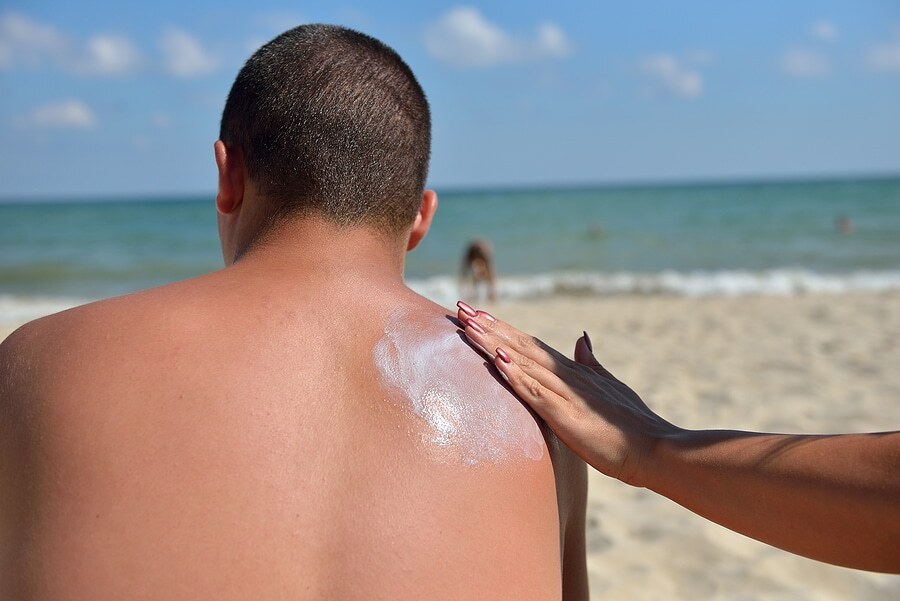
(834, 498)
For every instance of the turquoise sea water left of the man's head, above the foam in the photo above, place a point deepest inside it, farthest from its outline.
(99, 249)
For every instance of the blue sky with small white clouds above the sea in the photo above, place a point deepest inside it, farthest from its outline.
(113, 98)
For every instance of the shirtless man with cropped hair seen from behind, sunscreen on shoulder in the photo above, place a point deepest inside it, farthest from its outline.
(288, 427)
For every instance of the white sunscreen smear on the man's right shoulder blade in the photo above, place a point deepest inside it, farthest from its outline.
(468, 415)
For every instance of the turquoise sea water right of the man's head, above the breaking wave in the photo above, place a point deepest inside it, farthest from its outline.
(682, 228)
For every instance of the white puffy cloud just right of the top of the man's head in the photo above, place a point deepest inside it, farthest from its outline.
(464, 38)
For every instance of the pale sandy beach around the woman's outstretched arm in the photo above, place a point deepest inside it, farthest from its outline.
(810, 364)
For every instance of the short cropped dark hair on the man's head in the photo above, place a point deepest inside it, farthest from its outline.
(332, 122)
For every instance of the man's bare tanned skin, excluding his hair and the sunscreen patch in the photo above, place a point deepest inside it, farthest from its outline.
(227, 437)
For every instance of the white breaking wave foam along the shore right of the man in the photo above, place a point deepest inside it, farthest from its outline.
(781, 282)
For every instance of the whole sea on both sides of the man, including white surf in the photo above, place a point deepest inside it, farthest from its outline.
(702, 239)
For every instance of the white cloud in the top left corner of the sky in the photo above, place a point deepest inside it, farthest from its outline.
(26, 42)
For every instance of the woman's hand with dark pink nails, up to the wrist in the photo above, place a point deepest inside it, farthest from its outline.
(593, 413)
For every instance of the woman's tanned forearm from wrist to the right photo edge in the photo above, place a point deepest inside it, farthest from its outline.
(832, 498)
